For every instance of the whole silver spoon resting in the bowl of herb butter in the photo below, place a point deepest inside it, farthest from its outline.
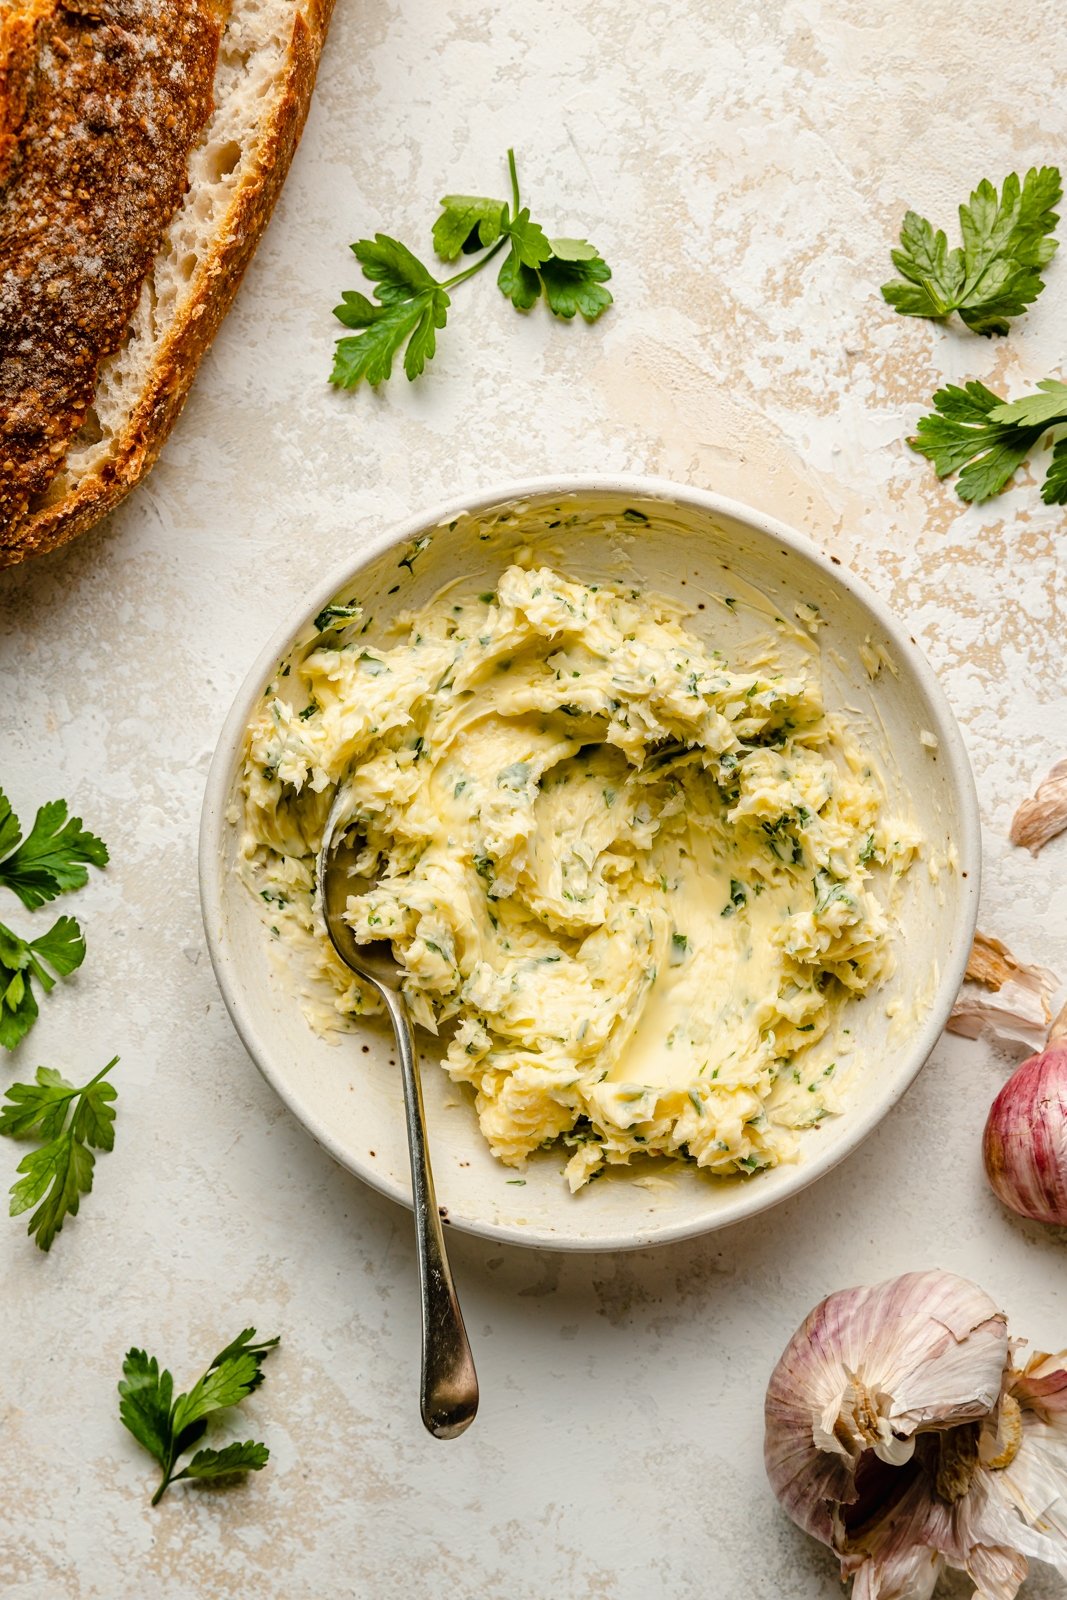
(450, 1386)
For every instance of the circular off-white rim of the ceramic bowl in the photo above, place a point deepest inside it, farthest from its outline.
(751, 1201)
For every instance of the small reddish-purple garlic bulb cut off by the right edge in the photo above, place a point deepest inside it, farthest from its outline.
(1025, 1146)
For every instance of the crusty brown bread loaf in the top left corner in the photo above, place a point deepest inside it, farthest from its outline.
(143, 145)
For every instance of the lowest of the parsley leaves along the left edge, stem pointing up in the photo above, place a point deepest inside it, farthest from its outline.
(60, 1172)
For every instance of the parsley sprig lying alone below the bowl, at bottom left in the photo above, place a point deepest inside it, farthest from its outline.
(167, 1426)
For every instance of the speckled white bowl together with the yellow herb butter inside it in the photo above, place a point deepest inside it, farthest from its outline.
(649, 794)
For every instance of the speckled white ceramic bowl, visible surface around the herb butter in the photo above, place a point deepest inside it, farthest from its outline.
(695, 548)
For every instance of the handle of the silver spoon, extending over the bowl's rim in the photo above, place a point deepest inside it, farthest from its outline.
(450, 1385)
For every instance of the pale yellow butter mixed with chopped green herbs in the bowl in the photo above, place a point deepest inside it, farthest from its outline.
(637, 882)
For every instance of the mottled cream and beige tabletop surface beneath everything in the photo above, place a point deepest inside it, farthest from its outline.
(745, 170)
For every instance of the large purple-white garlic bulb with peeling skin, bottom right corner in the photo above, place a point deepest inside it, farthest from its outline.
(900, 1434)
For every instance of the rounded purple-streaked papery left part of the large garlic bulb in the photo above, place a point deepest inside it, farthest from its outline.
(868, 1370)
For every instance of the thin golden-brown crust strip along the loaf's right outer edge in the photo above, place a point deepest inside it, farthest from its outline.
(183, 348)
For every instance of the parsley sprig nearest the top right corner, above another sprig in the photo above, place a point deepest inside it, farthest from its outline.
(997, 273)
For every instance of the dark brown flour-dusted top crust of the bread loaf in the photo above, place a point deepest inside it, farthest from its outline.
(111, 98)
